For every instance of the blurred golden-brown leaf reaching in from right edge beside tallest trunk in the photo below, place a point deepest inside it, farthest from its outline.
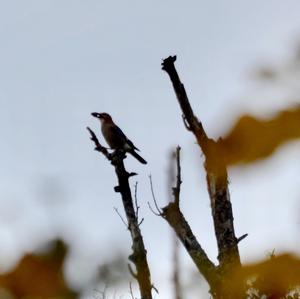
(252, 139)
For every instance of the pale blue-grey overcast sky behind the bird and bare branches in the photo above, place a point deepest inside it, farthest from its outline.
(62, 60)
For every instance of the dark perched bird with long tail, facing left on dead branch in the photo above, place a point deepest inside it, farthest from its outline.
(114, 136)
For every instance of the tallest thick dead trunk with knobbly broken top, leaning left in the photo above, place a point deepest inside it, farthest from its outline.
(216, 177)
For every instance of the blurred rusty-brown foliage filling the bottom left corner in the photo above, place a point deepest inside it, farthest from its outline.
(38, 276)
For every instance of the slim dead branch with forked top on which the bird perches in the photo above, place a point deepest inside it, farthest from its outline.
(139, 253)
